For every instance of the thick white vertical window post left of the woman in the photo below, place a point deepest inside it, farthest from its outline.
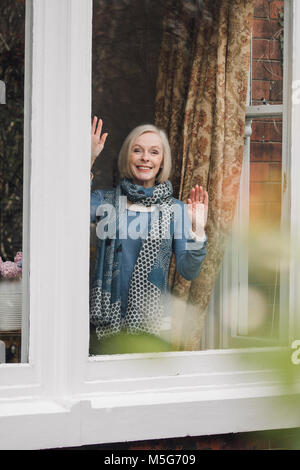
(60, 213)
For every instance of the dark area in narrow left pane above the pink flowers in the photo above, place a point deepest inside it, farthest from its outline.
(12, 54)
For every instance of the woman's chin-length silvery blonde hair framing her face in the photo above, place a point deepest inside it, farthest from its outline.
(123, 160)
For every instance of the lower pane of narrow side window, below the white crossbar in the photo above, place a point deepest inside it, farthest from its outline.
(264, 226)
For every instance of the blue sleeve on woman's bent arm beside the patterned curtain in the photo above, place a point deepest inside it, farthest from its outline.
(189, 251)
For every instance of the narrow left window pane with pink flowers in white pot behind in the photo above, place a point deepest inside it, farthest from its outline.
(12, 53)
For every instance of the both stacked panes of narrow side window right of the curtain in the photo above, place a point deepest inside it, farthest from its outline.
(265, 172)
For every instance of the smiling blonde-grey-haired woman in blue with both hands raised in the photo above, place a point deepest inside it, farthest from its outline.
(139, 226)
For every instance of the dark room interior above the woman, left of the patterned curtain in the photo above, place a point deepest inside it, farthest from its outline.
(126, 44)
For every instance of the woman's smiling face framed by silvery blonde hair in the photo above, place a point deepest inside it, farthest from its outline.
(145, 159)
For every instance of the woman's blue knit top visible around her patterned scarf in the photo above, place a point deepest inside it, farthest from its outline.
(189, 253)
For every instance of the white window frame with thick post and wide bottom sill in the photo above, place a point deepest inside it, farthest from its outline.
(61, 397)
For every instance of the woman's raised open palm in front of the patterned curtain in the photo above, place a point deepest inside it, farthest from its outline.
(198, 209)
